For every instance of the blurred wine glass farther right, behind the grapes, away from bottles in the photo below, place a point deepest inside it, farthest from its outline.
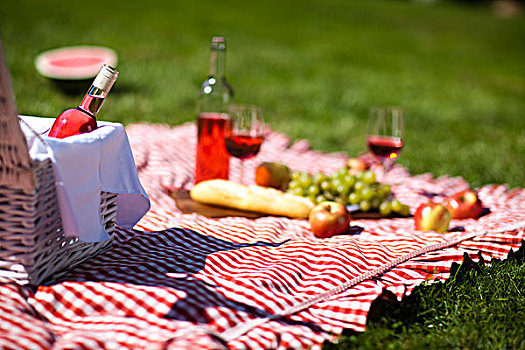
(385, 134)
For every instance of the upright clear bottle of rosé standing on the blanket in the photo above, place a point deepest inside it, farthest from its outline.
(212, 159)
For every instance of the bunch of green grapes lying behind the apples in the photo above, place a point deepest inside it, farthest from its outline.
(361, 189)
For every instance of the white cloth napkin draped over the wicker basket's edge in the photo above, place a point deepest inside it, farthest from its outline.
(84, 166)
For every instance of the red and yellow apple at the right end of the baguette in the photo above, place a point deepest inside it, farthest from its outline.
(328, 219)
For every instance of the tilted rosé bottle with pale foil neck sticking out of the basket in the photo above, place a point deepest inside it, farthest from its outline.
(82, 119)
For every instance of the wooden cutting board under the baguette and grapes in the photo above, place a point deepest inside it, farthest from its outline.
(188, 206)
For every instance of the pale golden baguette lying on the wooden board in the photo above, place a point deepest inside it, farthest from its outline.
(253, 198)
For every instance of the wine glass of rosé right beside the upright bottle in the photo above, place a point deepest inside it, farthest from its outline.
(244, 132)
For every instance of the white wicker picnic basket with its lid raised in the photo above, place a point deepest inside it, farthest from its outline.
(33, 248)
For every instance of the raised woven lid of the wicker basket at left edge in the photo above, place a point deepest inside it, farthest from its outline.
(15, 162)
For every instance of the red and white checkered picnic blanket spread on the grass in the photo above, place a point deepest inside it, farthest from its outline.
(187, 281)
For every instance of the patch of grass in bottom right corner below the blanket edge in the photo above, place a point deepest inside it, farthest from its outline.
(479, 307)
